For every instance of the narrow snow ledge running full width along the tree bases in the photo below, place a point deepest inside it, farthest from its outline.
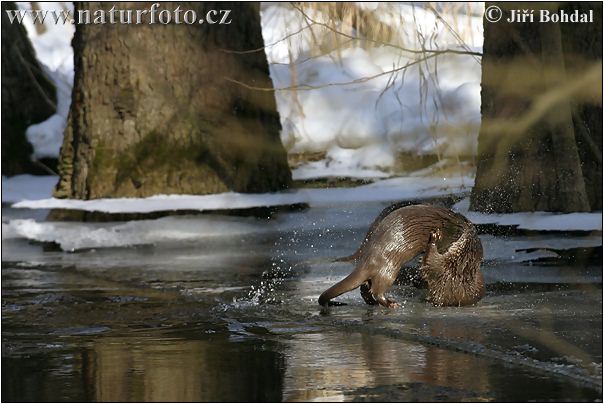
(33, 192)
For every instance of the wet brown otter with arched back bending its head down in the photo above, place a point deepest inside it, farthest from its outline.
(450, 266)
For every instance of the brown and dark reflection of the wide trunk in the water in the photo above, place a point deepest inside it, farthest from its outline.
(180, 370)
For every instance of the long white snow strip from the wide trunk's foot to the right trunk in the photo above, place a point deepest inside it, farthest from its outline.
(403, 188)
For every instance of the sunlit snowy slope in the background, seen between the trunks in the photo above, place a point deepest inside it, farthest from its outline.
(432, 107)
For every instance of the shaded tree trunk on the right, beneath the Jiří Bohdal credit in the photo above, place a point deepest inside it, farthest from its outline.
(540, 140)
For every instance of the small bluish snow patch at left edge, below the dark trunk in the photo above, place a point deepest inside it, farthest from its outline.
(27, 187)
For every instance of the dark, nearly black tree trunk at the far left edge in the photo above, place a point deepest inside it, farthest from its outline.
(28, 96)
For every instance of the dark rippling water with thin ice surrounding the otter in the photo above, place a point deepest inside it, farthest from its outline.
(233, 317)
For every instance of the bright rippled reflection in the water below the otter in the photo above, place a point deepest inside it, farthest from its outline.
(330, 366)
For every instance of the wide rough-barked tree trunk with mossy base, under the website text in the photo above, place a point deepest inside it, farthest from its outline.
(152, 111)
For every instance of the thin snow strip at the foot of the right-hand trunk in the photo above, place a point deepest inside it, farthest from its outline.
(535, 220)
